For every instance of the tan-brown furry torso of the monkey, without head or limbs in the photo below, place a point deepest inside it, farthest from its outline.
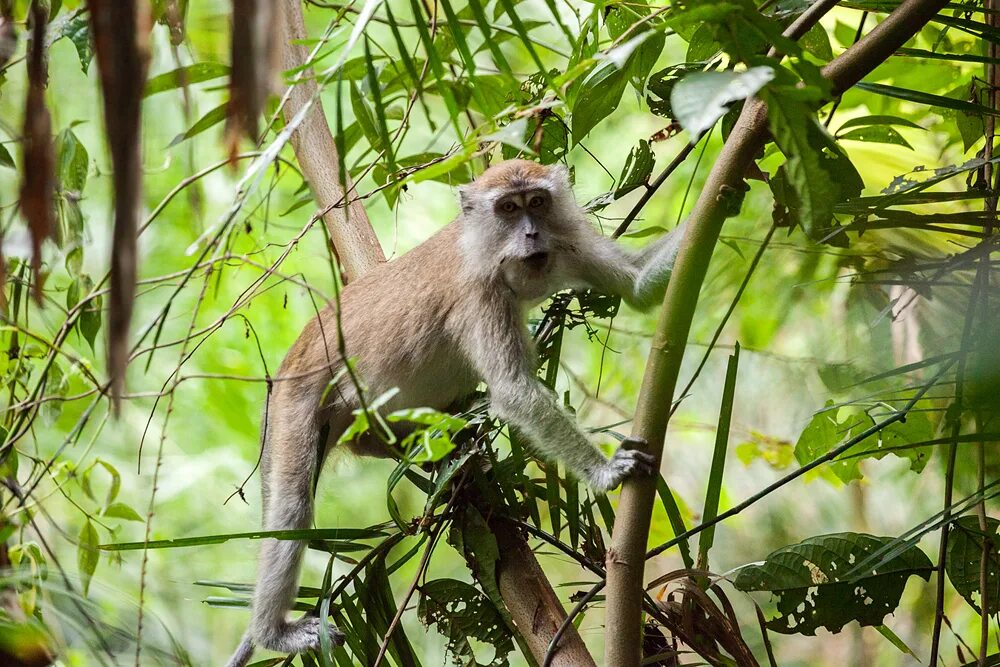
(397, 322)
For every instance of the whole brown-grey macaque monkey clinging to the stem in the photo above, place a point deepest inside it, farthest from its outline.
(434, 323)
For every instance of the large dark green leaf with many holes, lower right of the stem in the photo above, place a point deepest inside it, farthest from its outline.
(814, 589)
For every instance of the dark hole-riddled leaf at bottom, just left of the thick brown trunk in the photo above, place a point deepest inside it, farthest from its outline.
(461, 612)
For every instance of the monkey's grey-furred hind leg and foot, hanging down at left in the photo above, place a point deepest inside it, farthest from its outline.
(290, 461)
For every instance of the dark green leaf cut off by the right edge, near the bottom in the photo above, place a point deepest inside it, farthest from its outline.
(965, 556)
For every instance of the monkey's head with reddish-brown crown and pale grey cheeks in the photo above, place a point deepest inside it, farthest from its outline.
(515, 215)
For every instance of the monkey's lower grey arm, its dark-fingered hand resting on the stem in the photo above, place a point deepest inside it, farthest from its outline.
(502, 354)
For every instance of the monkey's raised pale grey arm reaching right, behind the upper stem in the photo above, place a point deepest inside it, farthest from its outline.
(640, 278)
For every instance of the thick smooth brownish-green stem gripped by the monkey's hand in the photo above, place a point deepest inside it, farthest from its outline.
(626, 555)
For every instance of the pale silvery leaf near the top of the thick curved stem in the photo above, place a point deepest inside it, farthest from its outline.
(699, 100)
